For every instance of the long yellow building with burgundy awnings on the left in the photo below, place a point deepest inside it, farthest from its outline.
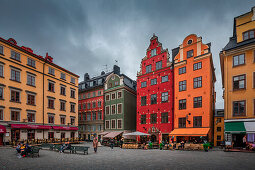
(38, 99)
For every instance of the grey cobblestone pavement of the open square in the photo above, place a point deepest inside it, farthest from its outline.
(120, 159)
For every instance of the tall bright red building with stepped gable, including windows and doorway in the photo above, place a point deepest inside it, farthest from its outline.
(155, 93)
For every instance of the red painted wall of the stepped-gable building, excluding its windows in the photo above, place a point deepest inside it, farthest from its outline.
(155, 89)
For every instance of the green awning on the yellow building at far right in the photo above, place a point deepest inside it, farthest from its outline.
(235, 127)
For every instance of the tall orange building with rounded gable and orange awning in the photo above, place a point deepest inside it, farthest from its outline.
(194, 93)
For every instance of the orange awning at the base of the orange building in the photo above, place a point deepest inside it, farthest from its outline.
(190, 132)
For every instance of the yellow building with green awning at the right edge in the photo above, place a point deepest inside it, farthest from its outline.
(237, 61)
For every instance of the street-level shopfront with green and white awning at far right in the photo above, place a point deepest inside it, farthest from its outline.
(240, 133)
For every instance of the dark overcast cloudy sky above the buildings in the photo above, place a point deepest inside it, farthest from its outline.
(84, 36)
